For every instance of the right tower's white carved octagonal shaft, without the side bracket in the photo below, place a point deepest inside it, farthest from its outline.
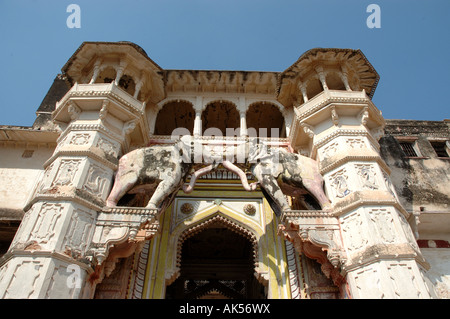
(382, 258)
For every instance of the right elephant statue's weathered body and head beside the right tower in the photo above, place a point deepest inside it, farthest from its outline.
(279, 173)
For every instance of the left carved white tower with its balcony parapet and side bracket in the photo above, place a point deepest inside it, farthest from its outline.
(52, 254)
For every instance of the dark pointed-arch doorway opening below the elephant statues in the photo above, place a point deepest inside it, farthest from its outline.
(217, 262)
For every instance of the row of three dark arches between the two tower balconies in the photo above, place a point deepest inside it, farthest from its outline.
(217, 116)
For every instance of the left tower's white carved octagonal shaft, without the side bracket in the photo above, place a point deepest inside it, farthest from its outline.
(50, 253)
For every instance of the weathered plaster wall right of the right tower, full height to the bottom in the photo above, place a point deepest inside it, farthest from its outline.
(422, 184)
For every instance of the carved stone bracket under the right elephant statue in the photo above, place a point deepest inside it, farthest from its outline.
(316, 234)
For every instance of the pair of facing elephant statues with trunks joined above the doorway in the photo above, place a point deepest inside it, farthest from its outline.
(163, 169)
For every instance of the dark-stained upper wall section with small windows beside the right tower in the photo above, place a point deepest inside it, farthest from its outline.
(421, 182)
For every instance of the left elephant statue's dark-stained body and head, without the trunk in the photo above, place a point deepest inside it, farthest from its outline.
(157, 169)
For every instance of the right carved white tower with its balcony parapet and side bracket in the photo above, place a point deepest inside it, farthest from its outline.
(373, 245)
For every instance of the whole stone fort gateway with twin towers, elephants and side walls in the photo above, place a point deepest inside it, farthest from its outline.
(138, 182)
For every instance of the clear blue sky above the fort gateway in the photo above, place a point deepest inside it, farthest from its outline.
(410, 51)
